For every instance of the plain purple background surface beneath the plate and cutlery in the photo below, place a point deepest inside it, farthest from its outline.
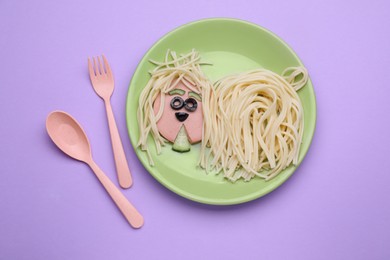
(336, 205)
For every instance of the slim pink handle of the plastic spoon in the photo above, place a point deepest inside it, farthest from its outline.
(128, 210)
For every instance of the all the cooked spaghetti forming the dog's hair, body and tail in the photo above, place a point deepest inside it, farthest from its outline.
(252, 122)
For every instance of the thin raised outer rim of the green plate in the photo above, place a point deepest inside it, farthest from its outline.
(177, 190)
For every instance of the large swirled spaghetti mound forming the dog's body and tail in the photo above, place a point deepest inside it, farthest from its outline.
(259, 120)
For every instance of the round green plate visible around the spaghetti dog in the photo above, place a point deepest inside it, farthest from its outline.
(231, 46)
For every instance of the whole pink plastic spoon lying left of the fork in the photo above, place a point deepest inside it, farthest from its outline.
(69, 136)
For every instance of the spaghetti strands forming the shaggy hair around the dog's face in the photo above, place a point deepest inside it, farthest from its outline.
(164, 77)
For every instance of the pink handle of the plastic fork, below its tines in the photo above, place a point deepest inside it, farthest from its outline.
(122, 168)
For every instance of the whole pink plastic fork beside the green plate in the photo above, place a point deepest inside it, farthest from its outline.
(103, 84)
